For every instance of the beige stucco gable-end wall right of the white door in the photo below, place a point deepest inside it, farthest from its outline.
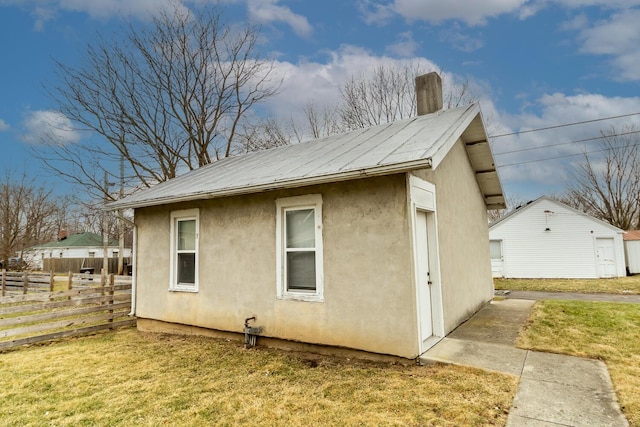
(463, 234)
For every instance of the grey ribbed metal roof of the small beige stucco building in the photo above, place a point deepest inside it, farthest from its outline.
(415, 143)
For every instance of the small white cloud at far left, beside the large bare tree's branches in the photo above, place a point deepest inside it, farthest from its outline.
(48, 126)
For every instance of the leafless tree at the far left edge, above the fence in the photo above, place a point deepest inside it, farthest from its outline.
(27, 215)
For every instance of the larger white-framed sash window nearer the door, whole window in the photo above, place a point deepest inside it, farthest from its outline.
(299, 247)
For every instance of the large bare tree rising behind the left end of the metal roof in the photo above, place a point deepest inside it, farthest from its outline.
(167, 97)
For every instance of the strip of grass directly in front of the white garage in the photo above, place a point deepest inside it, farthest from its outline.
(618, 285)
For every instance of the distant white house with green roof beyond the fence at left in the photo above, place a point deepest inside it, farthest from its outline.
(72, 253)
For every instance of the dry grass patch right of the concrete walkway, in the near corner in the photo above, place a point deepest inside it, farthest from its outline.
(606, 331)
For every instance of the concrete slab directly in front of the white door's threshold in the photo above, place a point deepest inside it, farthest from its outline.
(493, 357)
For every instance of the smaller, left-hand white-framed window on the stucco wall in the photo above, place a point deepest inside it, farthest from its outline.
(184, 250)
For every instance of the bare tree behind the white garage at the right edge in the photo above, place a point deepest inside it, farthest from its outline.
(608, 186)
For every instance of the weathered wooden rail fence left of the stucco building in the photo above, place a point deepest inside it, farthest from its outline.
(88, 304)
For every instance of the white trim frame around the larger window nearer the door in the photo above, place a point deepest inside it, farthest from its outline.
(311, 201)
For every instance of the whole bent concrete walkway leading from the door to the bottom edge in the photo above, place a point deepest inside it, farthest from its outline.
(554, 390)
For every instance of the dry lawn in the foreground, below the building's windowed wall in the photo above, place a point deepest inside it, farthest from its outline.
(130, 378)
